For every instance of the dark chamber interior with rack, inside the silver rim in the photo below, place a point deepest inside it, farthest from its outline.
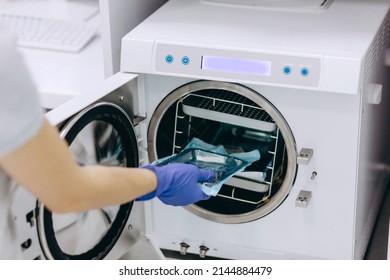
(223, 117)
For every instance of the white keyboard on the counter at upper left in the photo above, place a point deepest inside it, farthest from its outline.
(48, 33)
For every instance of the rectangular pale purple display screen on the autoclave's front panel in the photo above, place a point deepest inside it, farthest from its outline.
(236, 65)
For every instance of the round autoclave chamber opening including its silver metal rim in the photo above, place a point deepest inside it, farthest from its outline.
(241, 120)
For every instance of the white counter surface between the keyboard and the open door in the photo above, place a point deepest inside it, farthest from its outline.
(60, 76)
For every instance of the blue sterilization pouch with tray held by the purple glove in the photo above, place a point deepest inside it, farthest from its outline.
(216, 158)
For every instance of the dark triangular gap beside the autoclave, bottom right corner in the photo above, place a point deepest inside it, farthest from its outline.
(377, 248)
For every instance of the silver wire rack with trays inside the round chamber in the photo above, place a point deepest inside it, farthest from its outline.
(236, 111)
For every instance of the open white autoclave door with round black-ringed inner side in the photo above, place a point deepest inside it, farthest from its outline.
(101, 133)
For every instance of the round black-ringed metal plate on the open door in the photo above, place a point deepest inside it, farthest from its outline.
(102, 134)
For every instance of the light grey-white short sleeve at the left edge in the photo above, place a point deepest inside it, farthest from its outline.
(21, 114)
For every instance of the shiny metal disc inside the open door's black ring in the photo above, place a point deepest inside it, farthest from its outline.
(97, 143)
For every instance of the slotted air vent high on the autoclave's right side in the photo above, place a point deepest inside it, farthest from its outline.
(376, 48)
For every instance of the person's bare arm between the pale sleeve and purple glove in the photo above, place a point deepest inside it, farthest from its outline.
(46, 168)
